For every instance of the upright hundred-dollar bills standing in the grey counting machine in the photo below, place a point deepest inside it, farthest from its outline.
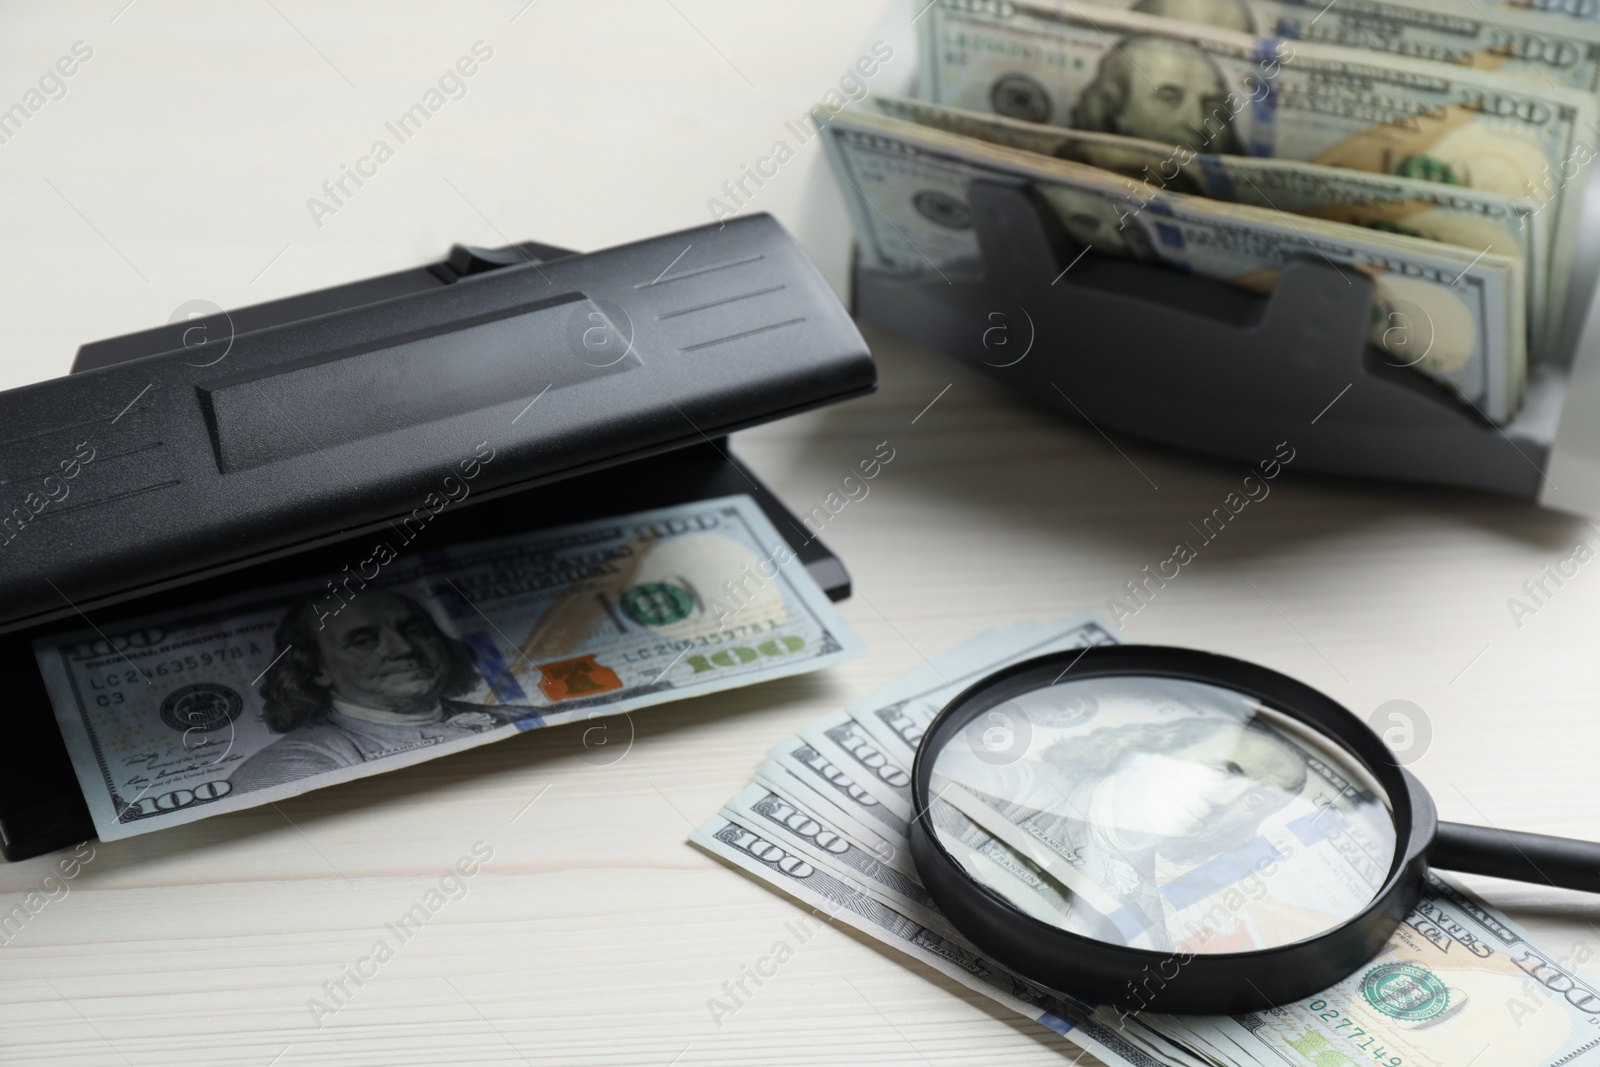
(1439, 148)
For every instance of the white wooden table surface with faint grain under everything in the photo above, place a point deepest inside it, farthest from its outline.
(177, 169)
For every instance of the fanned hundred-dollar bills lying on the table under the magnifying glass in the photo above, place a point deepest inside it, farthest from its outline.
(826, 823)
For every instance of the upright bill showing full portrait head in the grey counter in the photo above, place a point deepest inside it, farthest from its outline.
(1214, 90)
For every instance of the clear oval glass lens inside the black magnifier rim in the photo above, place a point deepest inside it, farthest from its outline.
(1164, 815)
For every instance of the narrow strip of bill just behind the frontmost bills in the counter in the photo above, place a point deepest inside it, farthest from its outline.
(1457, 215)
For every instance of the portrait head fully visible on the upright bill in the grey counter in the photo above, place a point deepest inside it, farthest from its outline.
(1162, 90)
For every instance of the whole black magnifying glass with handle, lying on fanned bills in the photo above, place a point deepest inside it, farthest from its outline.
(1174, 831)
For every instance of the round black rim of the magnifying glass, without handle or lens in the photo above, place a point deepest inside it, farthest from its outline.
(1206, 983)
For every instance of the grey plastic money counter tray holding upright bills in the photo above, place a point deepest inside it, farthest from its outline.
(1201, 366)
